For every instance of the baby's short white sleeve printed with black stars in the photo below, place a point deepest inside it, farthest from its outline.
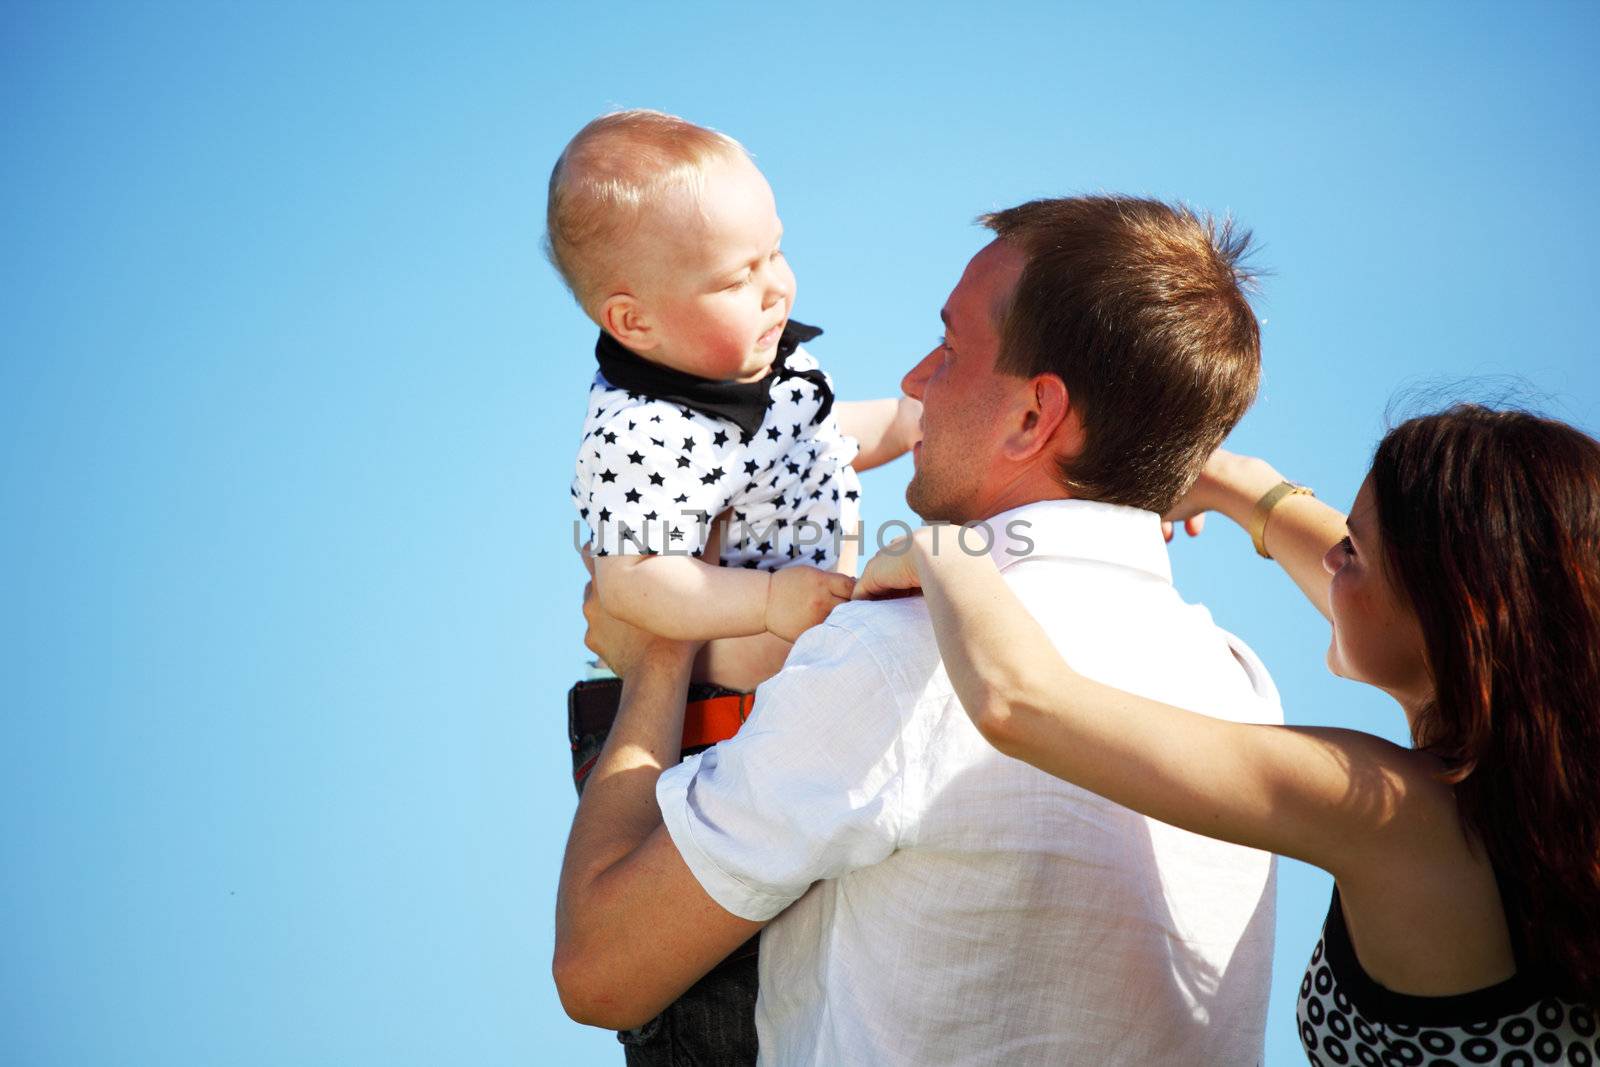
(649, 487)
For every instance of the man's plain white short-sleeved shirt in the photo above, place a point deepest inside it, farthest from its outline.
(938, 903)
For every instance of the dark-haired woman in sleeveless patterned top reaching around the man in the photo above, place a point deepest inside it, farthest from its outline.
(1465, 924)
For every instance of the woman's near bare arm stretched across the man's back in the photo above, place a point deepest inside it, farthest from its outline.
(1330, 797)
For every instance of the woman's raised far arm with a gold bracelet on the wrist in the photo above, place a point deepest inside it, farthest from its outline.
(1300, 529)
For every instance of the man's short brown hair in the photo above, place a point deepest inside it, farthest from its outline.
(1138, 306)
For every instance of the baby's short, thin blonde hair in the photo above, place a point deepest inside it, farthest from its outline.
(618, 167)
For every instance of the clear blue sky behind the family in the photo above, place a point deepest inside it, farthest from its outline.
(289, 402)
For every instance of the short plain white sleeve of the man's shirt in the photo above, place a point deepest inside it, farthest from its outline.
(812, 788)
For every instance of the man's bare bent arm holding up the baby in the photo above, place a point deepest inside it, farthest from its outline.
(633, 925)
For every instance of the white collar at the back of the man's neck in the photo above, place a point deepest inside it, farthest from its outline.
(1081, 530)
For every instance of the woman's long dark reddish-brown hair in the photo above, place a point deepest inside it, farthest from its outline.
(1492, 529)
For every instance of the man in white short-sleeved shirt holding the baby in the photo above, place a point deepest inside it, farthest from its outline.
(932, 901)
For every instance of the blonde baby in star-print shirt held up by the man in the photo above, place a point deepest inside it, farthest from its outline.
(705, 404)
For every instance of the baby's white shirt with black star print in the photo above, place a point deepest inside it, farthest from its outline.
(654, 474)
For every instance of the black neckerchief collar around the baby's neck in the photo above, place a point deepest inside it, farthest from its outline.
(743, 404)
